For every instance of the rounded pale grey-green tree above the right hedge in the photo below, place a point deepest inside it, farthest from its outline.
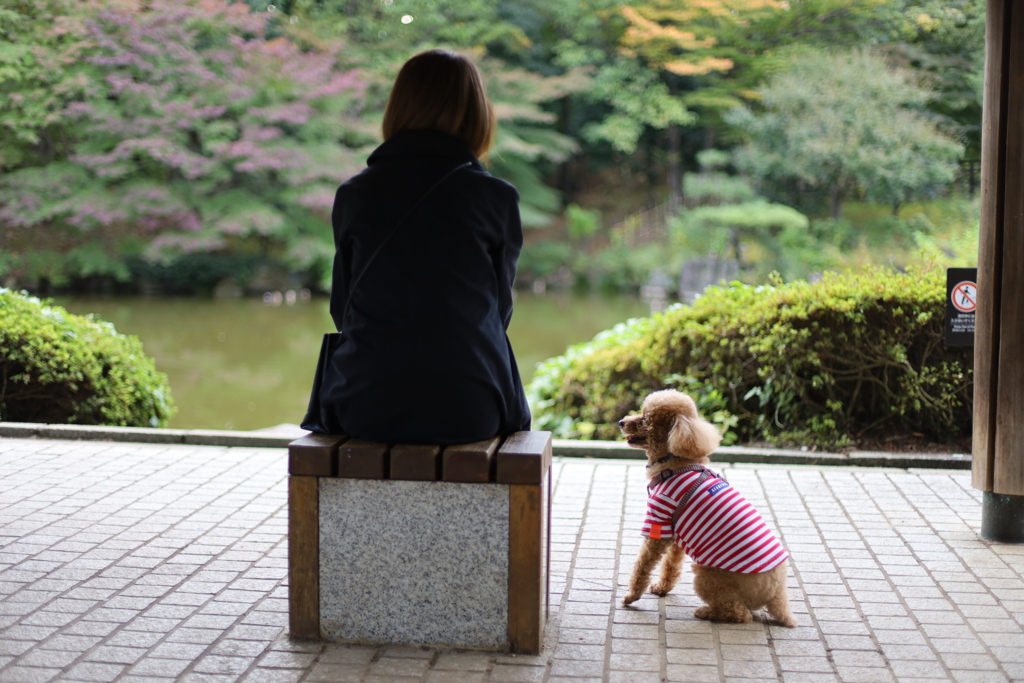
(847, 122)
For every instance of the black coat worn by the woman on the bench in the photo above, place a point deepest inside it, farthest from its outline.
(425, 358)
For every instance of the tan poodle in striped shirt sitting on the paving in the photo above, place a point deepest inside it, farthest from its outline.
(739, 565)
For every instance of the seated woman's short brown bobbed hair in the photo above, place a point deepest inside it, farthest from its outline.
(442, 91)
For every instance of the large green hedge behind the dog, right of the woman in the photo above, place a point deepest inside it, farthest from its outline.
(820, 365)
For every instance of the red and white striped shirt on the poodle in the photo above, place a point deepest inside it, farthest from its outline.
(718, 528)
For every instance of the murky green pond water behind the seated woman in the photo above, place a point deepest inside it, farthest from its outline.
(240, 364)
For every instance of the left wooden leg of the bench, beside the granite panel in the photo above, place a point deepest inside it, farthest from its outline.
(304, 557)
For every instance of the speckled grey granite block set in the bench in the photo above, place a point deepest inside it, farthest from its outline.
(414, 563)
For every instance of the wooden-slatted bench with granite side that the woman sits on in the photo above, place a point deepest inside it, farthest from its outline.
(420, 545)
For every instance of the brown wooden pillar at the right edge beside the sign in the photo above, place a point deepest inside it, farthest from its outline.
(999, 402)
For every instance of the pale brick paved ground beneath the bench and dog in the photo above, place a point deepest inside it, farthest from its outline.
(147, 564)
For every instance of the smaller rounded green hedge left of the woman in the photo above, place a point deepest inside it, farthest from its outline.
(63, 369)
